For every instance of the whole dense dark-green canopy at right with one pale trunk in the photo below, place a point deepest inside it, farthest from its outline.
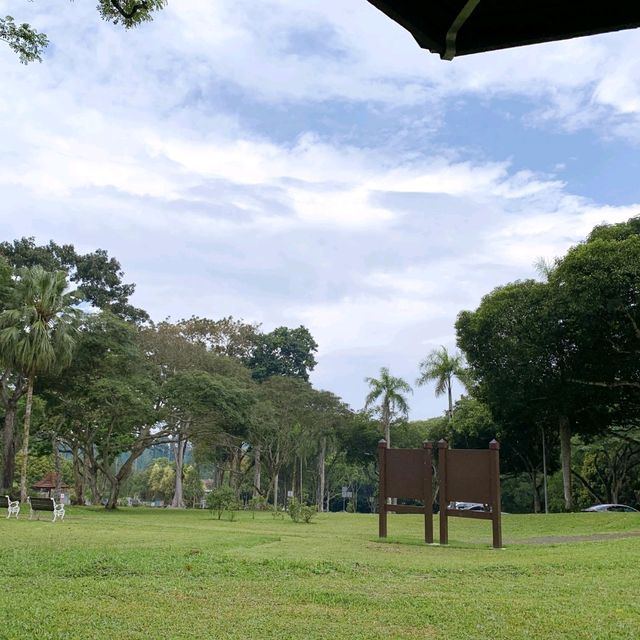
(564, 351)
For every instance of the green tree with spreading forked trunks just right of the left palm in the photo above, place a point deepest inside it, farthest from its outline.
(107, 403)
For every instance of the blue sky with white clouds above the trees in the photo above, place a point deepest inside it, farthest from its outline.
(290, 163)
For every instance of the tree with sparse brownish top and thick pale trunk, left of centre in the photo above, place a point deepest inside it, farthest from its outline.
(202, 386)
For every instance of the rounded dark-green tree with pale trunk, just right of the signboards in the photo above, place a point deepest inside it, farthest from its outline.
(523, 363)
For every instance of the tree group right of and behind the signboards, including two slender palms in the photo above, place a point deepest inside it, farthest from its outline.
(551, 368)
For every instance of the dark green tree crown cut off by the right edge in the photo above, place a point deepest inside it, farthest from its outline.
(596, 289)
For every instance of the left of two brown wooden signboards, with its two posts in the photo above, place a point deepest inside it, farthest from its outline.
(405, 473)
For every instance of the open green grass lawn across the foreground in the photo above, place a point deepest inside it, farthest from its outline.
(143, 573)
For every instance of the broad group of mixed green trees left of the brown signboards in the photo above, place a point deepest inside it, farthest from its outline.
(110, 383)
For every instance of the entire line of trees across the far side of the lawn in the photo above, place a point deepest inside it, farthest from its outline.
(550, 367)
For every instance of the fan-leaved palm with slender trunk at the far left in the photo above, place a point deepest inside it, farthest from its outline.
(36, 335)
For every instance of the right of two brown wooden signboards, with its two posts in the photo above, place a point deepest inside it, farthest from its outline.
(470, 475)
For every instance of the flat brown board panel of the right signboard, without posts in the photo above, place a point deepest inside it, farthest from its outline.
(469, 475)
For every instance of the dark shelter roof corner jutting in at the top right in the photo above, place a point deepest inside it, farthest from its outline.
(460, 27)
